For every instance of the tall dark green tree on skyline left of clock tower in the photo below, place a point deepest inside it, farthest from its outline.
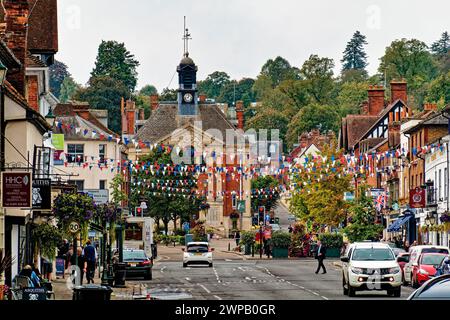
(115, 61)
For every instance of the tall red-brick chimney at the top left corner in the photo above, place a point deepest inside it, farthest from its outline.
(16, 33)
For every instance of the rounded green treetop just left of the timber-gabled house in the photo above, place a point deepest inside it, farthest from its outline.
(311, 117)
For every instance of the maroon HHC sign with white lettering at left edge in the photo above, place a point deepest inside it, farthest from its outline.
(16, 190)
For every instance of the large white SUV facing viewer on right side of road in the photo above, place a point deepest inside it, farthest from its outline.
(370, 266)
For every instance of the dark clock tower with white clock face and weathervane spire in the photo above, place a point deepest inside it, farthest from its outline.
(187, 80)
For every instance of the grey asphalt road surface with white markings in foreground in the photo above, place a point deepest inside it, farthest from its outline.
(232, 279)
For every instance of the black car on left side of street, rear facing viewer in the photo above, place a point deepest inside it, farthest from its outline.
(138, 264)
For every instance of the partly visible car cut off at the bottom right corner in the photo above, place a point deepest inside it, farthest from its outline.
(437, 288)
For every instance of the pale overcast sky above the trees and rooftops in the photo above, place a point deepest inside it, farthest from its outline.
(238, 36)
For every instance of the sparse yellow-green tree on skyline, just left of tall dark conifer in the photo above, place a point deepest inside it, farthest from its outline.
(318, 75)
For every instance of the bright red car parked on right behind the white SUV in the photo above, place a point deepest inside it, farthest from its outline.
(425, 268)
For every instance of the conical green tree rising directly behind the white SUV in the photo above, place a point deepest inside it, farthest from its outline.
(362, 220)
